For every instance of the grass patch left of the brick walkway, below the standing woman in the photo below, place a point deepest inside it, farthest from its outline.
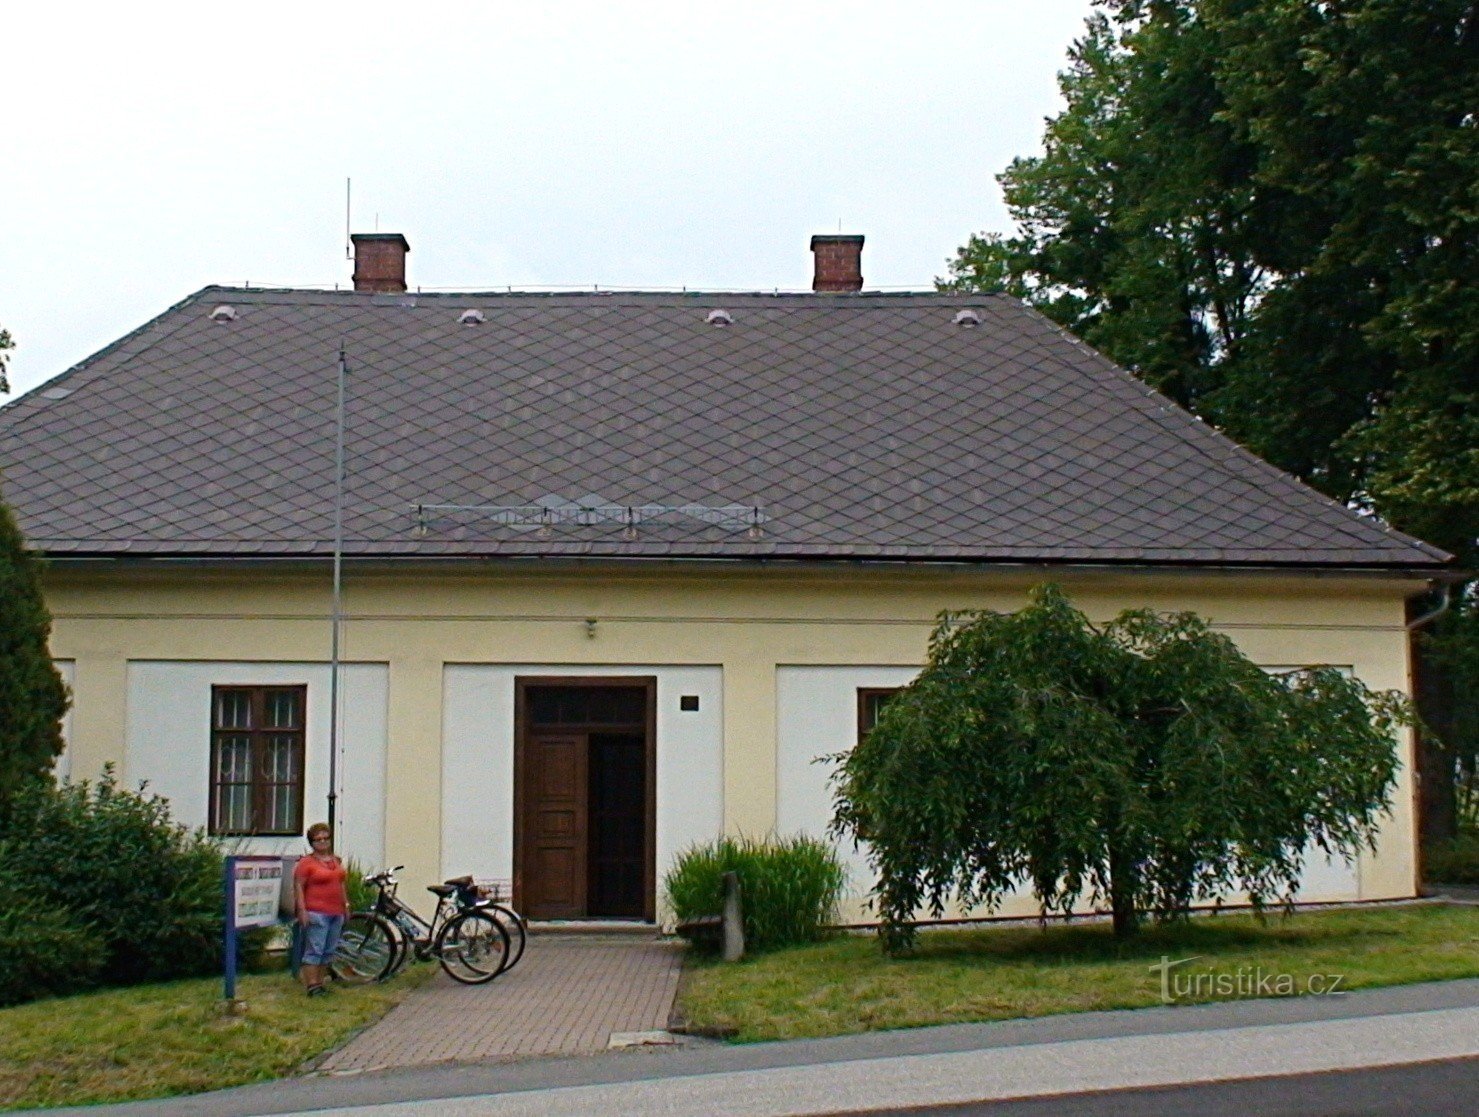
(159, 1041)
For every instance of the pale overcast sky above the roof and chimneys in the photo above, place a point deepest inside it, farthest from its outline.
(152, 150)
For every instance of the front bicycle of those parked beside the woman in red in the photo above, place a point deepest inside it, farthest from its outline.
(470, 943)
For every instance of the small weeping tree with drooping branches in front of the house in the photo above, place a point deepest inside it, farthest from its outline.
(1145, 764)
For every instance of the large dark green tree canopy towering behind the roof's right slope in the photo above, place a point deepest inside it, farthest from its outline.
(1270, 209)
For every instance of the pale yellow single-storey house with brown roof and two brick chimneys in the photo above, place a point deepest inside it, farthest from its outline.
(619, 569)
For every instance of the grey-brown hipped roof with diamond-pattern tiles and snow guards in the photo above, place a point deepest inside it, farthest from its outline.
(863, 427)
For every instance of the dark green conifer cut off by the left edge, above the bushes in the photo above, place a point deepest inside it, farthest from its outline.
(33, 698)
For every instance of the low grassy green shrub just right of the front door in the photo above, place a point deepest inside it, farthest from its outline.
(789, 887)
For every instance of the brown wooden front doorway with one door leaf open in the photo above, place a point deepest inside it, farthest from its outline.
(585, 769)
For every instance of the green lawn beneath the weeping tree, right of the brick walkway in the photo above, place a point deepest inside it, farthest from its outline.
(848, 986)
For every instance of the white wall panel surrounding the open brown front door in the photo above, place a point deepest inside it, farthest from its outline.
(478, 761)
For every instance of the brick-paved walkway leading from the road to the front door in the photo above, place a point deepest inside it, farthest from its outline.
(567, 996)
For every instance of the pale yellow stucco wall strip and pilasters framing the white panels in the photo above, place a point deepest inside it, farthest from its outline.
(746, 621)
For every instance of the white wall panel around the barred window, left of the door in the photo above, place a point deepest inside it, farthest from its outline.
(169, 745)
